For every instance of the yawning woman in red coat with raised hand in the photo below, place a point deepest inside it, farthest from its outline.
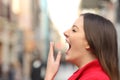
(92, 48)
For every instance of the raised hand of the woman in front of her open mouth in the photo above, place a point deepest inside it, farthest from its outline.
(52, 64)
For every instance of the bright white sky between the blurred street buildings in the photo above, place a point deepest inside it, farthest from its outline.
(63, 13)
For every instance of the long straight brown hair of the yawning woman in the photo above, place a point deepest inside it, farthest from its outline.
(102, 38)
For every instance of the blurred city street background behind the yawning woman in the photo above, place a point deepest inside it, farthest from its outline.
(27, 27)
